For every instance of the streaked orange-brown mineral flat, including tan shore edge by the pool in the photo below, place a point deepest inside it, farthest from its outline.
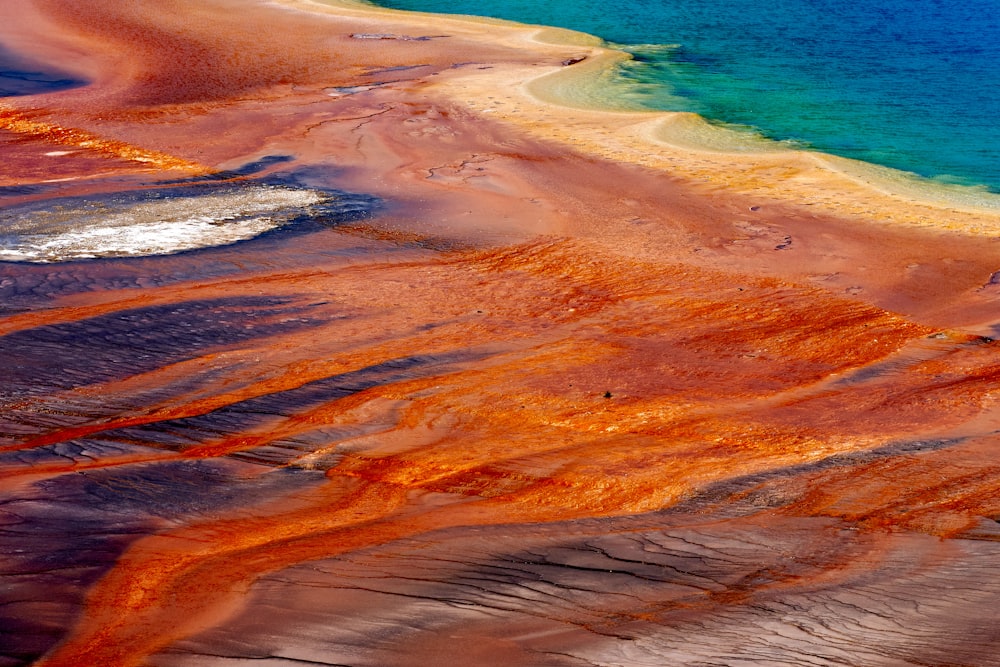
(571, 395)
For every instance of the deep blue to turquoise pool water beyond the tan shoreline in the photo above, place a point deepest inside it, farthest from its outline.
(911, 84)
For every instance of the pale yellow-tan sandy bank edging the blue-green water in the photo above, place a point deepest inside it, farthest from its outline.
(556, 102)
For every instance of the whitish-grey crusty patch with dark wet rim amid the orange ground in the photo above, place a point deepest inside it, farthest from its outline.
(166, 221)
